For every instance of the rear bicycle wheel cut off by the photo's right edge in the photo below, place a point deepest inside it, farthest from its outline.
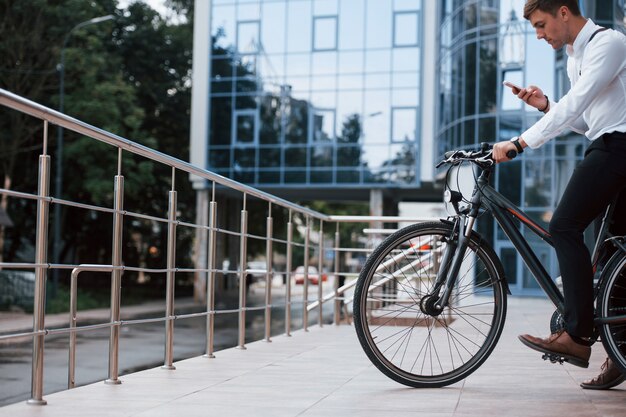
(612, 302)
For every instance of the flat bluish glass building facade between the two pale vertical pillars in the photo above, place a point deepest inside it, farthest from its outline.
(322, 93)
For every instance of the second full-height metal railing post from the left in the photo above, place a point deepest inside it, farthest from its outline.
(116, 280)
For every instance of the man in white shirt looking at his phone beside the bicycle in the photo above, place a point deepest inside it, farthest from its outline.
(595, 106)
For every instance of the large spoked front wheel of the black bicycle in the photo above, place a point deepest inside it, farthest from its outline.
(394, 326)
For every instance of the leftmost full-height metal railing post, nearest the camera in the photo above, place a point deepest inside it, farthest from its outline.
(39, 302)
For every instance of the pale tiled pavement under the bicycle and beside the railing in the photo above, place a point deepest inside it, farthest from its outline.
(324, 372)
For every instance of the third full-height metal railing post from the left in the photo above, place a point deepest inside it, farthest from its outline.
(170, 281)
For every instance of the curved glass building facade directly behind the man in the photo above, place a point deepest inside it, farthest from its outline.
(484, 42)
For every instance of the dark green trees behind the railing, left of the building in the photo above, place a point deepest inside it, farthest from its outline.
(129, 76)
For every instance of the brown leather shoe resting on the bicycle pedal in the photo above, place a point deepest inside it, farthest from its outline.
(561, 345)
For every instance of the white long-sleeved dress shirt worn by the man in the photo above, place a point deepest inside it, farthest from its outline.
(596, 103)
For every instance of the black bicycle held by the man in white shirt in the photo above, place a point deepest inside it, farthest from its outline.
(430, 302)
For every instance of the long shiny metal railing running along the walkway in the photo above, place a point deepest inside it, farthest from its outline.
(301, 233)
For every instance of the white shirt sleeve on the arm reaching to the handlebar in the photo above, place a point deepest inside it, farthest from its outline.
(603, 61)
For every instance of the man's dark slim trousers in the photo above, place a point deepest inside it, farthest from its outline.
(596, 181)
